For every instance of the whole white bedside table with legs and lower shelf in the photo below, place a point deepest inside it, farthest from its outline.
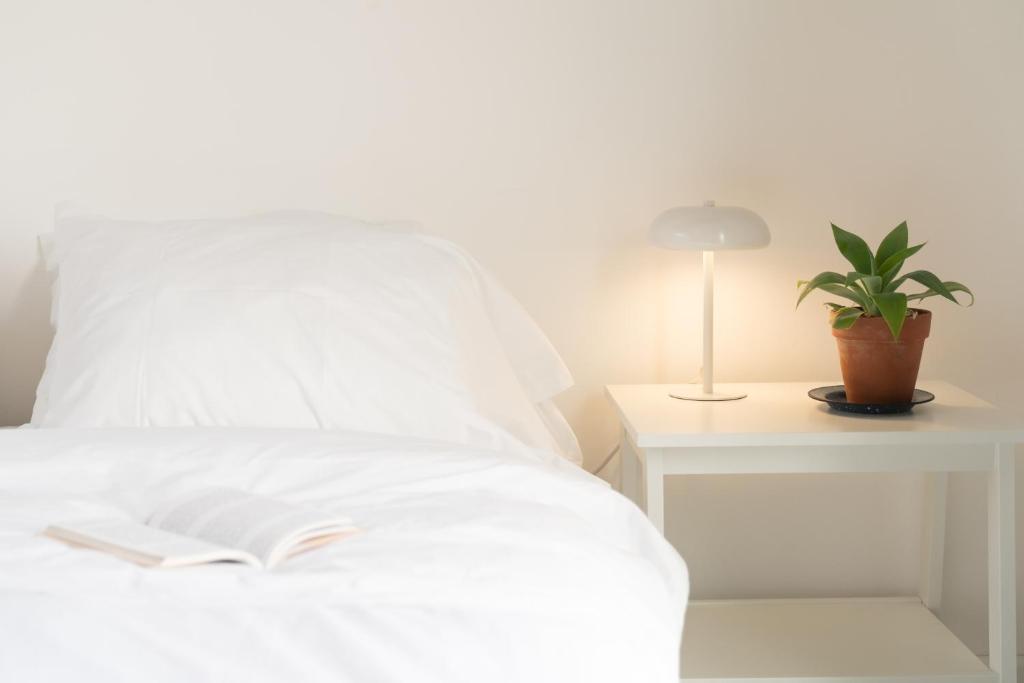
(778, 429)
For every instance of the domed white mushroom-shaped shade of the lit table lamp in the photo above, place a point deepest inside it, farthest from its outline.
(710, 228)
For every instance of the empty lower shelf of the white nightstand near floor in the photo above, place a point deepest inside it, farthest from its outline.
(824, 641)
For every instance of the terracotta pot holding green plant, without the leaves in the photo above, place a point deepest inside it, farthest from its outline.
(878, 369)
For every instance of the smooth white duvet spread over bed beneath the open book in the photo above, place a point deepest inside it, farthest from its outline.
(473, 567)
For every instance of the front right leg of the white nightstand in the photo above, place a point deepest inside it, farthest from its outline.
(1002, 581)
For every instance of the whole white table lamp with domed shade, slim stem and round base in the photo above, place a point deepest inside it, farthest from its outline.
(709, 229)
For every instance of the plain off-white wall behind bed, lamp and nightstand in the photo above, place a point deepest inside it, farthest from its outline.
(545, 137)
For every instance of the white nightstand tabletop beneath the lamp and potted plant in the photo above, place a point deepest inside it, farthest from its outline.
(783, 414)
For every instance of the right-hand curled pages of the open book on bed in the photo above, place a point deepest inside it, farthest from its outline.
(266, 528)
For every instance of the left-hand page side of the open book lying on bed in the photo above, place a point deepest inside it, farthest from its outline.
(145, 545)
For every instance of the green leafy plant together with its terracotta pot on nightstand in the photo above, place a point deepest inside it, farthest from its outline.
(879, 334)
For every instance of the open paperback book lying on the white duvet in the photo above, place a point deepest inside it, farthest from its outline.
(211, 526)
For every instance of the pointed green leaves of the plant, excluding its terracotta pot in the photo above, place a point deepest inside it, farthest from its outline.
(872, 288)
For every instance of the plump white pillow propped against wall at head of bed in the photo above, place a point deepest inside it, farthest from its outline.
(291, 320)
